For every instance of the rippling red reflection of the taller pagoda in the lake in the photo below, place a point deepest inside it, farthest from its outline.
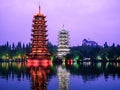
(39, 77)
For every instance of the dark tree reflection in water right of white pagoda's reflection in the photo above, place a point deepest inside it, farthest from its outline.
(91, 71)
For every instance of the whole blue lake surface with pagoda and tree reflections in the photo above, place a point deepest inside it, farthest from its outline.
(82, 76)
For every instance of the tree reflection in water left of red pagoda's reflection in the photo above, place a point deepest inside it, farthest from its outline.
(14, 70)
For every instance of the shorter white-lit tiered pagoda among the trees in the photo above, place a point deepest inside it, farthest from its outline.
(63, 43)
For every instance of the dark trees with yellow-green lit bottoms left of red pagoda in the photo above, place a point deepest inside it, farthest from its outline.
(19, 51)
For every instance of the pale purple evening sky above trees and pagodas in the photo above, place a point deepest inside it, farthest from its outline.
(98, 20)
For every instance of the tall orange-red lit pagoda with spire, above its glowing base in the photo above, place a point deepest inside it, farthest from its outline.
(39, 38)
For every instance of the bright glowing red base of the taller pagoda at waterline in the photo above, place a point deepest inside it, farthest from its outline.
(37, 62)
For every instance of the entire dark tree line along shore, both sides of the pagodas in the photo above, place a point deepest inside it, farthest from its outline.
(83, 52)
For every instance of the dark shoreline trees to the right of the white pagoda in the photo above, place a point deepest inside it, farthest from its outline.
(97, 52)
